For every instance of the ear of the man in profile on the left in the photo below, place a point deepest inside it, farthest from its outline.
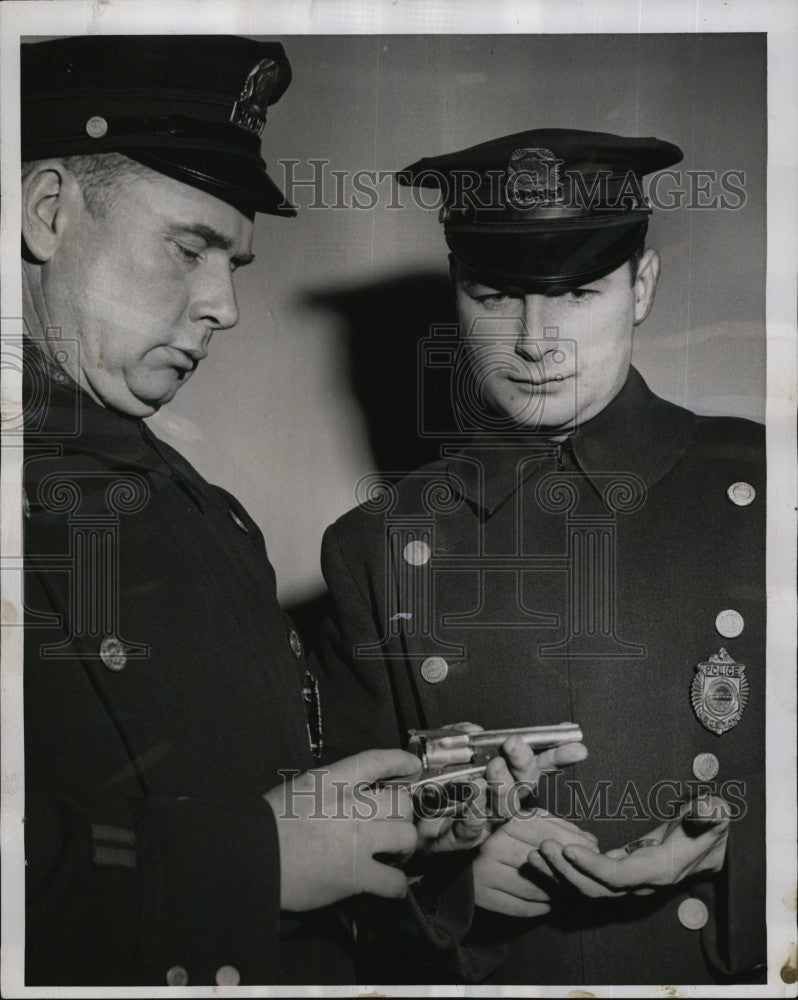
(50, 196)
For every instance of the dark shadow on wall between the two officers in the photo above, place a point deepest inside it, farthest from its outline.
(386, 325)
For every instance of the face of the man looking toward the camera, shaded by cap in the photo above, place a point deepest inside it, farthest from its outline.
(552, 361)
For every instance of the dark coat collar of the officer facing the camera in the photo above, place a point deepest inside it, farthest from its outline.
(638, 432)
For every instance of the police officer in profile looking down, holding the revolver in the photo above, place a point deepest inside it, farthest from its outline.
(174, 832)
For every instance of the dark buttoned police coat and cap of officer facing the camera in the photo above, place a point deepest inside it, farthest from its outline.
(615, 579)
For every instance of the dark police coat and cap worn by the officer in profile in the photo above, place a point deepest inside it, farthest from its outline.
(163, 684)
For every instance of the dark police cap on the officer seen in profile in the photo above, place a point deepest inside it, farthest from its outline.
(189, 106)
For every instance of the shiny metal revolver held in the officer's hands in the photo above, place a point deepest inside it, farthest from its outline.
(451, 760)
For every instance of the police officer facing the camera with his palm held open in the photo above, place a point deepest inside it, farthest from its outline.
(583, 551)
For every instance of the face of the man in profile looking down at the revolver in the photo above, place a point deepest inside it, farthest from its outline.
(144, 287)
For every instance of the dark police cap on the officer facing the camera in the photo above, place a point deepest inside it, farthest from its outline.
(545, 208)
